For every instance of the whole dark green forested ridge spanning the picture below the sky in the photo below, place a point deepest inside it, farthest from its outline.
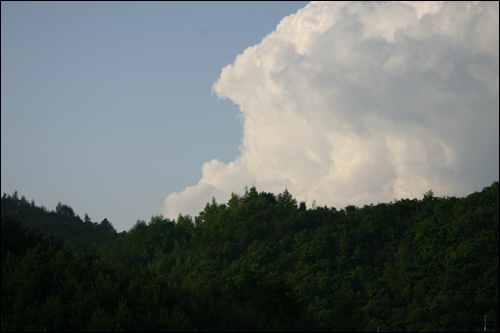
(264, 262)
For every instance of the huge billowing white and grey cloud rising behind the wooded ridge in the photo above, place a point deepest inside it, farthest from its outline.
(361, 102)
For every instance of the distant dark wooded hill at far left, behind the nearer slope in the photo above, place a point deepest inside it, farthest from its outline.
(62, 222)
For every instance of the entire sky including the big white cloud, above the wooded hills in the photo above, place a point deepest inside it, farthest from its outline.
(129, 110)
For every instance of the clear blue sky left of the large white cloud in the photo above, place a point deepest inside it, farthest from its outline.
(108, 107)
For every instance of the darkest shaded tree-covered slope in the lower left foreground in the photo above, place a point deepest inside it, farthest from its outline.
(49, 288)
